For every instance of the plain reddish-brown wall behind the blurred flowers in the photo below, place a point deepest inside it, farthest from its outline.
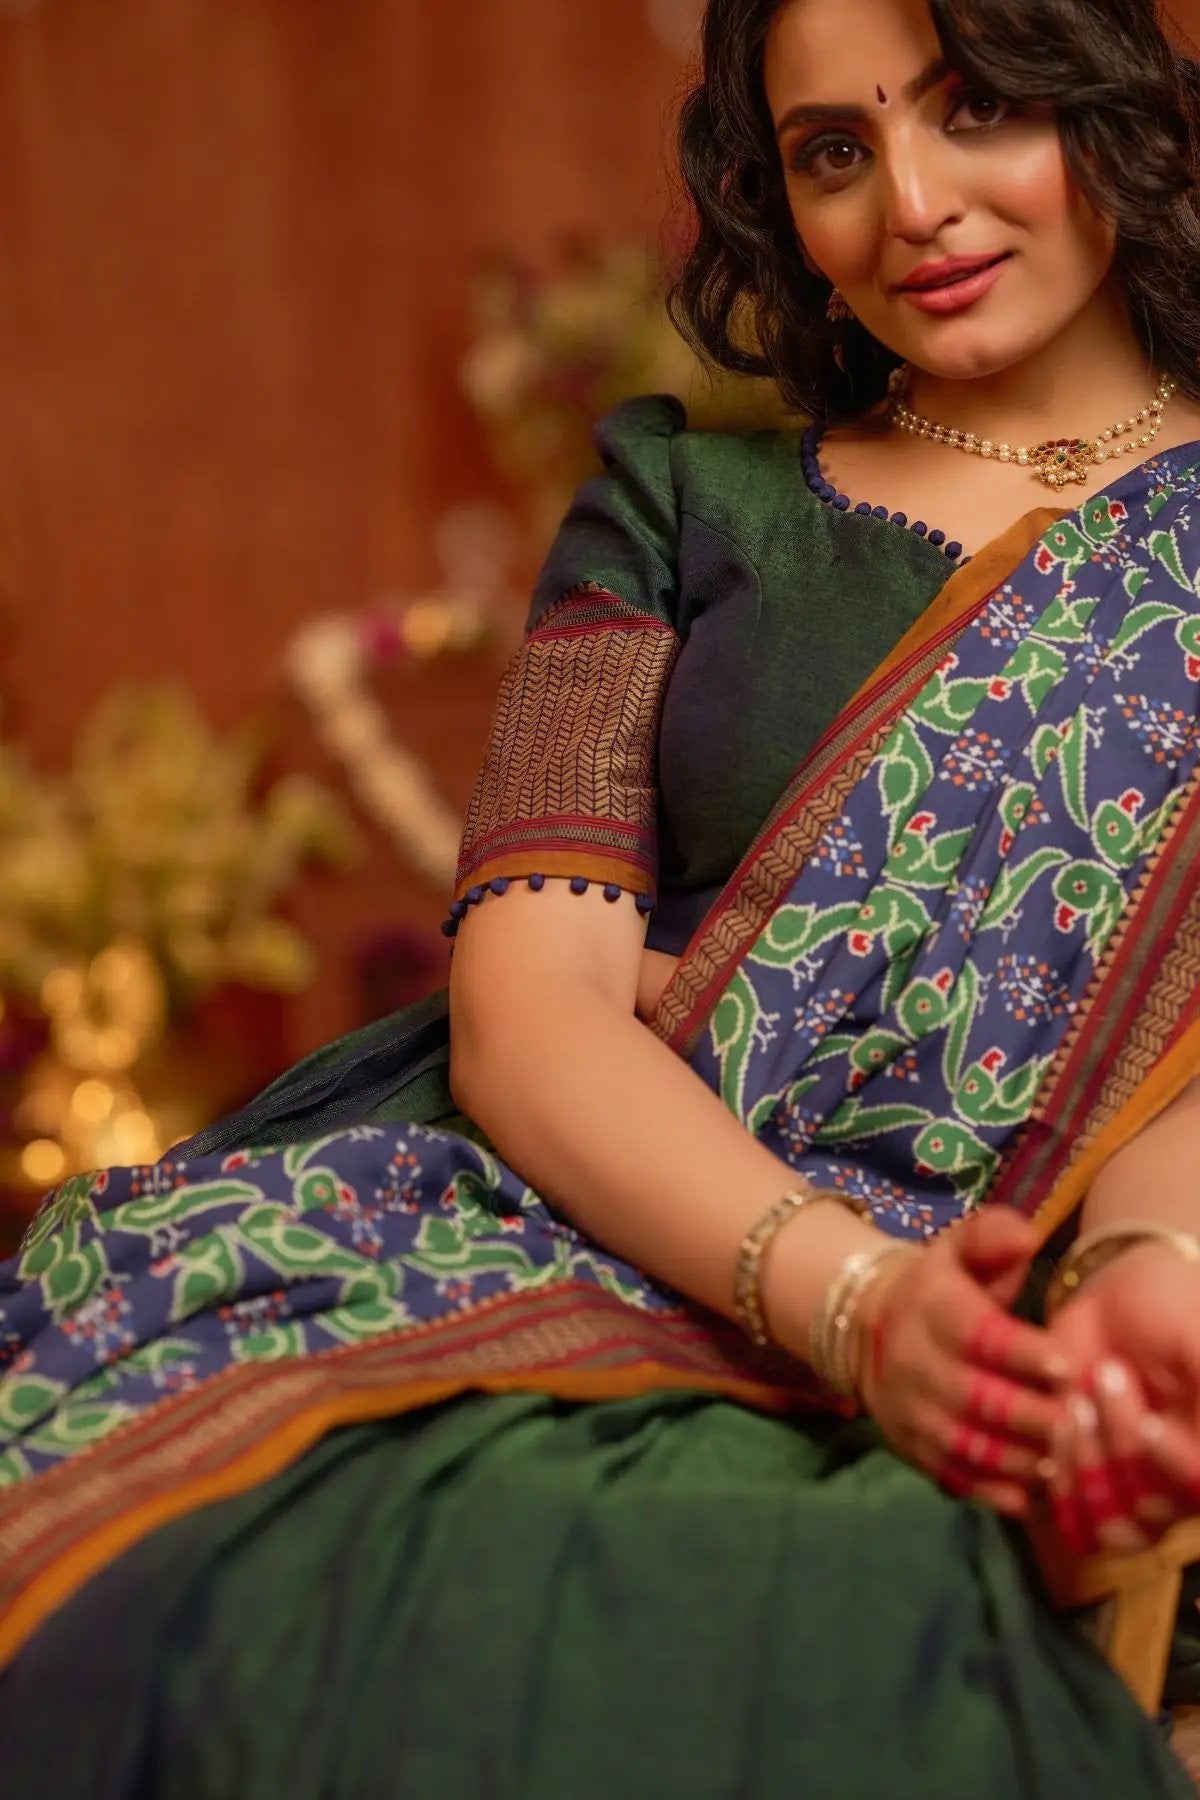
(237, 242)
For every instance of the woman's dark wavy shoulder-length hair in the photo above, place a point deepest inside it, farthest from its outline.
(1129, 111)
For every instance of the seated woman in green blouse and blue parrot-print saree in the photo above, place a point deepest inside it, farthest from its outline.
(343, 1459)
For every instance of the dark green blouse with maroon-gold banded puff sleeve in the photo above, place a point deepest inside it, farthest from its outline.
(776, 609)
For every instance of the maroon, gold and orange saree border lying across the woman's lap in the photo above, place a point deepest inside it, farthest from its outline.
(247, 1425)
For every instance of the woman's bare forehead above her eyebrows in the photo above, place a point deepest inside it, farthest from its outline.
(832, 51)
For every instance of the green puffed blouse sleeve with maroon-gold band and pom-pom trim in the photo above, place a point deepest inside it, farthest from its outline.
(569, 777)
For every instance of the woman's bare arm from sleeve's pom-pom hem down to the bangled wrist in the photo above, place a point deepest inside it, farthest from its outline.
(596, 1113)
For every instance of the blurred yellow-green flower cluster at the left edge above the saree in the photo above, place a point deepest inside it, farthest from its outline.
(150, 874)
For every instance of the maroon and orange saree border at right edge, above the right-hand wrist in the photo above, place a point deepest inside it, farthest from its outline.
(1133, 1047)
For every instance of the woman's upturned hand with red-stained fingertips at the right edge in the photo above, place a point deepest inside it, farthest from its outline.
(1129, 1448)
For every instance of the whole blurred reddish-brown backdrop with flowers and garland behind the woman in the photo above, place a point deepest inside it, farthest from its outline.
(307, 309)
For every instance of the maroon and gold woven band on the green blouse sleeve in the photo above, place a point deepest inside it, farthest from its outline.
(568, 786)
